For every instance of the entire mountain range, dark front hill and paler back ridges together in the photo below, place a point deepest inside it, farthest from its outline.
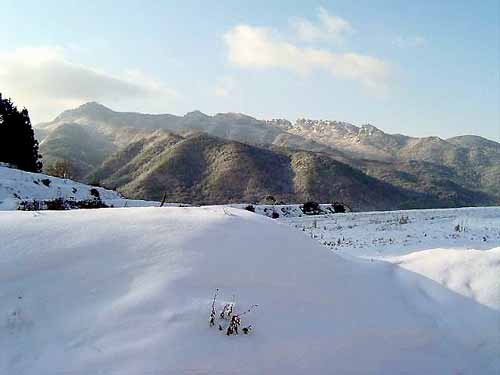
(141, 153)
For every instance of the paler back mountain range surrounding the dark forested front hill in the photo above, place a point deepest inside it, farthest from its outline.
(464, 169)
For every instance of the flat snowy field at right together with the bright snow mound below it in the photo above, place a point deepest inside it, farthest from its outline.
(457, 248)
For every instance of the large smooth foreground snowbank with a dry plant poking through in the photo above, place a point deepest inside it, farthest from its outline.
(128, 291)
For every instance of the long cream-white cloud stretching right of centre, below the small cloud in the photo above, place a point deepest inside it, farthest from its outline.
(260, 48)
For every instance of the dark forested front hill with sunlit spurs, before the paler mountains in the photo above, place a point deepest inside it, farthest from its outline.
(202, 169)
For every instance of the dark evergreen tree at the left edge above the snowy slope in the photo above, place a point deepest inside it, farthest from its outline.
(18, 145)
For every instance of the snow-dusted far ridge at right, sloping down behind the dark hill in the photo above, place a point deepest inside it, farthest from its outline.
(472, 161)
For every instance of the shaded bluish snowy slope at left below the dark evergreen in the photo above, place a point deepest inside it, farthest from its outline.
(17, 185)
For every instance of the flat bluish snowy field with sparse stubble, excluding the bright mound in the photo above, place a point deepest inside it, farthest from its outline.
(380, 235)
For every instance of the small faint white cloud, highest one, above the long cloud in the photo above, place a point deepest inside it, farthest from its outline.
(329, 28)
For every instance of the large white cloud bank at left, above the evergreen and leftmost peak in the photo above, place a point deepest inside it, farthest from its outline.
(46, 82)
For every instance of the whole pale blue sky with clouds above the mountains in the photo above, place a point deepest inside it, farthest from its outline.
(419, 68)
